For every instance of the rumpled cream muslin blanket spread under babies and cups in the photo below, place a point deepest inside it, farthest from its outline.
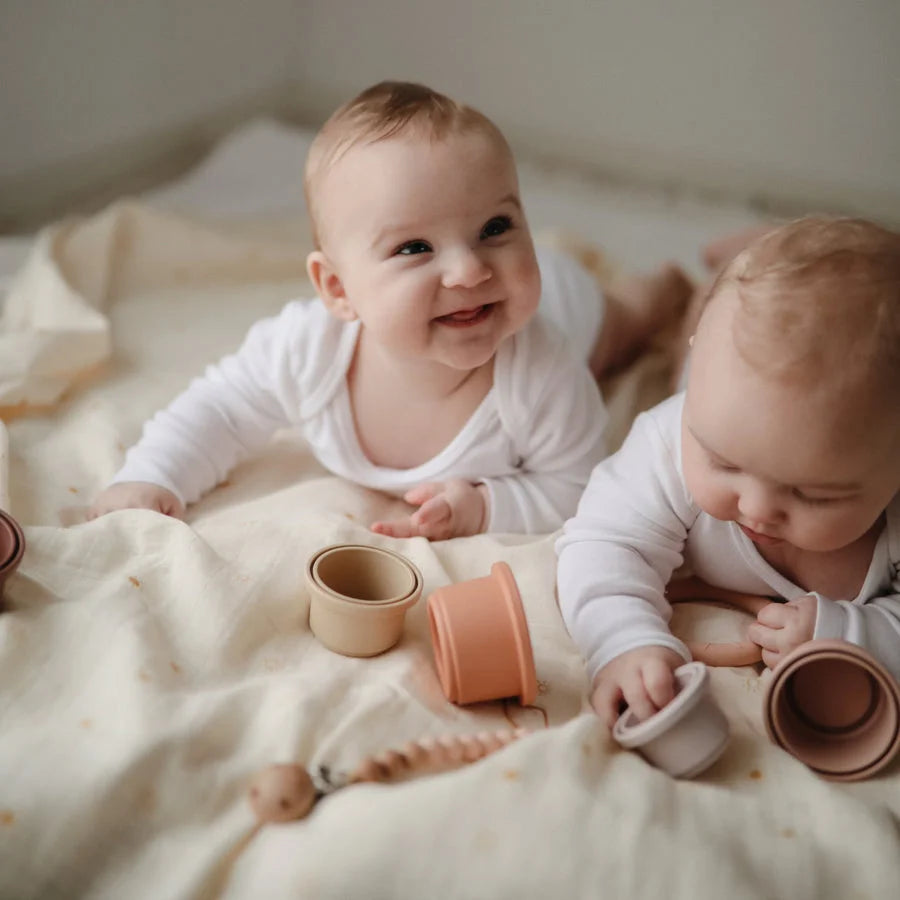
(149, 667)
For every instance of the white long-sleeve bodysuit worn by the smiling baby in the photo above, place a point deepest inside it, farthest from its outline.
(532, 441)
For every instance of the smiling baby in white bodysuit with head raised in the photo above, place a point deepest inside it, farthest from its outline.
(421, 369)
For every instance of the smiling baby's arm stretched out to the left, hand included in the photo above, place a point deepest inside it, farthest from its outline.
(222, 417)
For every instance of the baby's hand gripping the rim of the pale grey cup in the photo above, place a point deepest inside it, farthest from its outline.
(644, 678)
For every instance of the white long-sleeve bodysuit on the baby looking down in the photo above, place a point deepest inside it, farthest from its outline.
(637, 523)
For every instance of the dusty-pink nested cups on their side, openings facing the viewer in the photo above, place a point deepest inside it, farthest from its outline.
(834, 707)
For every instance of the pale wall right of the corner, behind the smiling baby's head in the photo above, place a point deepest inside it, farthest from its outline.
(797, 99)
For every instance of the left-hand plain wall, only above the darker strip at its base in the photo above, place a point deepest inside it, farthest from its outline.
(78, 75)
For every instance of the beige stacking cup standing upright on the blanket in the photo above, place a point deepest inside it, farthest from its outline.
(359, 596)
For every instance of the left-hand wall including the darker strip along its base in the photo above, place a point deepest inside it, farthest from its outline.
(92, 91)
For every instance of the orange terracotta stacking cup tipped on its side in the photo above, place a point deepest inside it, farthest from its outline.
(482, 649)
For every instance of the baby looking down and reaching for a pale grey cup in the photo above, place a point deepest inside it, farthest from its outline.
(776, 472)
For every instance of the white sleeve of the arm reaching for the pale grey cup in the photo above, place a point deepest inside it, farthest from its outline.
(617, 554)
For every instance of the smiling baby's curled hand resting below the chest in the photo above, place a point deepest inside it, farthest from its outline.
(447, 509)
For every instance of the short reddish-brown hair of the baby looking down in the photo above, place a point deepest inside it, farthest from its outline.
(820, 296)
